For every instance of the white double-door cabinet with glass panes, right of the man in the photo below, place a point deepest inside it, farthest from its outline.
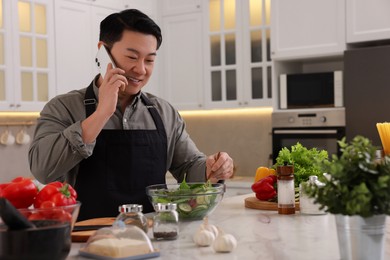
(237, 54)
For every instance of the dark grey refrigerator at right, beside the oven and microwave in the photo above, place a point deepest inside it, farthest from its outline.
(367, 90)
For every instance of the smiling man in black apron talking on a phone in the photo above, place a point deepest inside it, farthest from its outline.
(111, 140)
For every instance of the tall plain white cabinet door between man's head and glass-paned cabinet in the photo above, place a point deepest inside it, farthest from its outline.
(182, 70)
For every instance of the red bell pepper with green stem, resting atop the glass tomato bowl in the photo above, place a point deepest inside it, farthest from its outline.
(61, 194)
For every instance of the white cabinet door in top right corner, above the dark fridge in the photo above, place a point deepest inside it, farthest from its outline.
(368, 20)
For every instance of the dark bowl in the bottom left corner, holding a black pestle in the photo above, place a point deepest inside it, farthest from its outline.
(50, 240)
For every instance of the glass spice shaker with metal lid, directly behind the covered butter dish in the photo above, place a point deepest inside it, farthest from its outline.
(131, 214)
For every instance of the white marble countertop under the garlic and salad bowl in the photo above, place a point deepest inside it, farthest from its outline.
(260, 235)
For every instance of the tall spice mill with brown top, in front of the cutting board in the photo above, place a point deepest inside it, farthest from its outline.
(286, 189)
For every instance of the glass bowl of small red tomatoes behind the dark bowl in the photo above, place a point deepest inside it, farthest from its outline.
(49, 211)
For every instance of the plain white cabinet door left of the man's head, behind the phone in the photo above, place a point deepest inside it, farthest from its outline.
(77, 34)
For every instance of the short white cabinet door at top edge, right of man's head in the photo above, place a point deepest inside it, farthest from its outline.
(175, 7)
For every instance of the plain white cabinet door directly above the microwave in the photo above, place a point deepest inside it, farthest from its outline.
(307, 28)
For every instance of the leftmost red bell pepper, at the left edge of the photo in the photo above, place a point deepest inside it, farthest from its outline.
(20, 192)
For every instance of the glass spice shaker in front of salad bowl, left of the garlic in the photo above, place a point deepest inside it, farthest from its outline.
(166, 221)
